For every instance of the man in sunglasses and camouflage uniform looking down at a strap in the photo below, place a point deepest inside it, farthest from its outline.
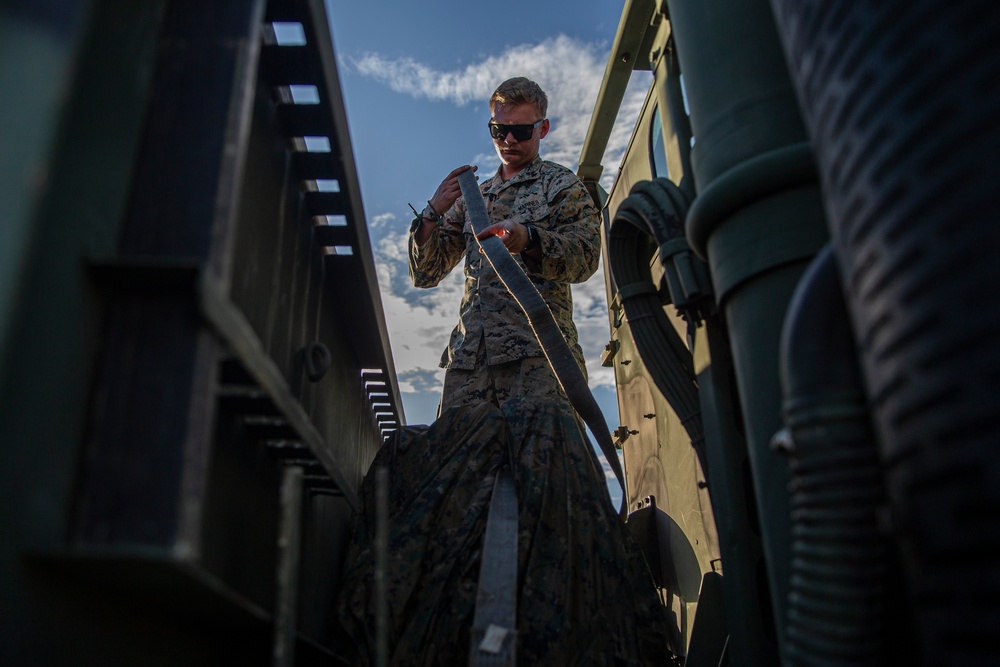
(546, 219)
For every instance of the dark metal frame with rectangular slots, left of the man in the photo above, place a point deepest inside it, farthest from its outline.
(203, 471)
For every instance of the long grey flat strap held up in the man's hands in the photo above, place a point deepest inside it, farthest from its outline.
(553, 344)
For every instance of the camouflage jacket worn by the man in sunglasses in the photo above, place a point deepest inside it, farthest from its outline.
(552, 199)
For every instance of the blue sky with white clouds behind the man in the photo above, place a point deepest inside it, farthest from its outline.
(416, 78)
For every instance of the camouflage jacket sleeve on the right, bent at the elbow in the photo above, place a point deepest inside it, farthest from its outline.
(570, 237)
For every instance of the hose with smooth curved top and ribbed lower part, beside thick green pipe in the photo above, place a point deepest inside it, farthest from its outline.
(839, 557)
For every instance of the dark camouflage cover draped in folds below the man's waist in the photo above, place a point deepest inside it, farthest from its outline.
(585, 596)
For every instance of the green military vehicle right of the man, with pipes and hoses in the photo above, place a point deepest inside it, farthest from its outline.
(808, 423)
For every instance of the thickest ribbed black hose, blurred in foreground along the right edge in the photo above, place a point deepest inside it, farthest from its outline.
(901, 99)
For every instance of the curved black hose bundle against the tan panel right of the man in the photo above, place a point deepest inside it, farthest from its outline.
(650, 212)
